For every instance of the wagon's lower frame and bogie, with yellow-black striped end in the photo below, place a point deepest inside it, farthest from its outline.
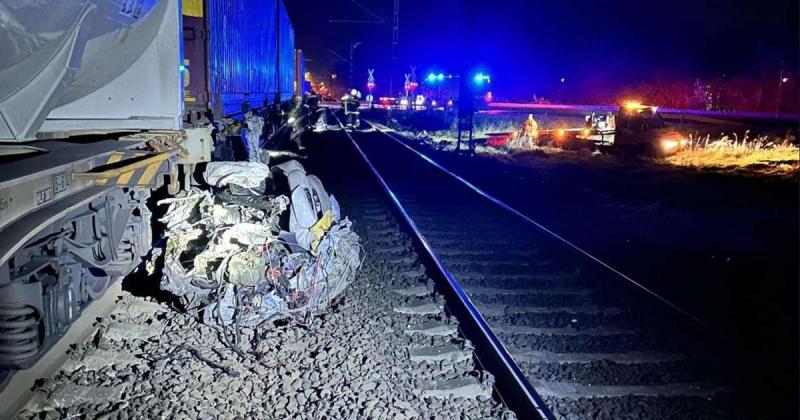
(73, 220)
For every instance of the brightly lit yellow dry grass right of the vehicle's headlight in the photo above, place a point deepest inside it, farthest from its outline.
(759, 154)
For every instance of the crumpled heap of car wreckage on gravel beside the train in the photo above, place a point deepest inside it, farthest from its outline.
(239, 258)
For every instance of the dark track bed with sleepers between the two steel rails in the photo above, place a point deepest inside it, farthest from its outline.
(588, 344)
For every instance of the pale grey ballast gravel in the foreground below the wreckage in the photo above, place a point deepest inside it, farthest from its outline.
(352, 361)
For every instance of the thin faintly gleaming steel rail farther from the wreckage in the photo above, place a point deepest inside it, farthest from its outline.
(660, 299)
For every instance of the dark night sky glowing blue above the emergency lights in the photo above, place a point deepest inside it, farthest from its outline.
(528, 46)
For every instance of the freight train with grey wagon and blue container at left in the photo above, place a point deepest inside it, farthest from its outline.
(101, 103)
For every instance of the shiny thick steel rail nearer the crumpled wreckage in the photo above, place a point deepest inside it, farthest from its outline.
(512, 386)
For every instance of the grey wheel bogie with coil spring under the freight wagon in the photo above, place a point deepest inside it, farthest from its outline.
(47, 283)
